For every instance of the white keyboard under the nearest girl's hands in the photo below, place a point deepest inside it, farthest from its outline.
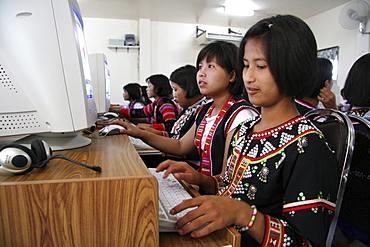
(170, 193)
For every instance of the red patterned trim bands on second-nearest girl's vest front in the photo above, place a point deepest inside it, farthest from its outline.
(206, 164)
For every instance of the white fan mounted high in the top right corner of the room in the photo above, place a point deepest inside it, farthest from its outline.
(355, 14)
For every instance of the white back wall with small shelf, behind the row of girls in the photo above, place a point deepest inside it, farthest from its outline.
(171, 45)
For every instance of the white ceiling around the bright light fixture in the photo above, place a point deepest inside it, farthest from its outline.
(200, 11)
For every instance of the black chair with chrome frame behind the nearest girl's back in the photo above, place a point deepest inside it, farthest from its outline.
(339, 132)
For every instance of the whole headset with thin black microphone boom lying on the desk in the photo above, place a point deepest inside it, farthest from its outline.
(18, 159)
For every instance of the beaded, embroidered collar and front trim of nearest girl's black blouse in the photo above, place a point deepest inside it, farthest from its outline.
(244, 154)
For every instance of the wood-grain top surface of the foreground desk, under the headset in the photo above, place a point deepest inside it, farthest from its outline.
(115, 154)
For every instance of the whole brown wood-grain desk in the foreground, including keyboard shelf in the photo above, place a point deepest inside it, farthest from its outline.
(65, 204)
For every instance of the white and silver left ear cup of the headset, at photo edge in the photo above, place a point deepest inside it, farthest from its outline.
(15, 158)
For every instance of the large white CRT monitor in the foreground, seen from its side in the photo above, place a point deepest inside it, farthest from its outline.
(45, 78)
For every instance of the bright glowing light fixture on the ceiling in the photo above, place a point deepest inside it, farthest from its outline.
(239, 7)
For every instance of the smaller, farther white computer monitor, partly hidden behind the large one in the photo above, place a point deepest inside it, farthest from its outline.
(100, 81)
